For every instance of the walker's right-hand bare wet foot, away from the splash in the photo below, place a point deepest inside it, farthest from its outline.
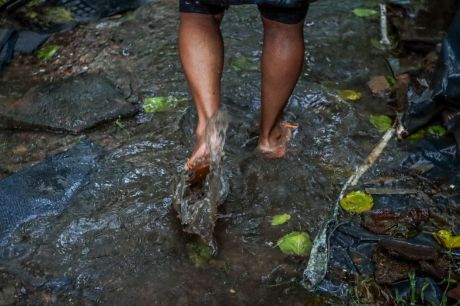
(275, 146)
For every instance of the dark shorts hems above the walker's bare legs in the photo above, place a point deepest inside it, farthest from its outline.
(279, 14)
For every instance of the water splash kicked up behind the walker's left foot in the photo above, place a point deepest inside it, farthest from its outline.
(196, 202)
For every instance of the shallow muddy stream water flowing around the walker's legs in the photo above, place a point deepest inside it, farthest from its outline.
(119, 242)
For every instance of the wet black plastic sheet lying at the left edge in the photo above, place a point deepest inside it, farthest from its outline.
(46, 188)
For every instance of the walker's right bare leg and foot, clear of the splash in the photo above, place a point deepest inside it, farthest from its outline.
(282, 62)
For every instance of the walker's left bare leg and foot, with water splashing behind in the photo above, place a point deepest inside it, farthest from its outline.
(202, 56)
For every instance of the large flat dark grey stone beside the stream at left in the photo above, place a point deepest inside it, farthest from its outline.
(70, 105)
